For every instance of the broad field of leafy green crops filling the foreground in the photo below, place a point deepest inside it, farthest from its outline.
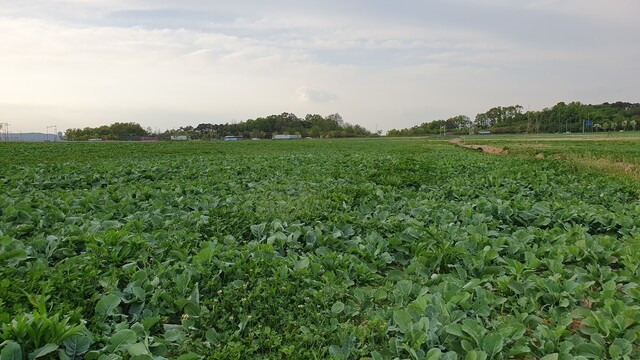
(314, 249)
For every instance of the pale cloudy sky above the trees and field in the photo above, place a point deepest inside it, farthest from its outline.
(380, 64)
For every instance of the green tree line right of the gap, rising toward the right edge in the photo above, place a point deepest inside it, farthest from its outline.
(562, 117)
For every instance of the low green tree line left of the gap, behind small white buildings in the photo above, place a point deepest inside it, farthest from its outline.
(312, 125)
